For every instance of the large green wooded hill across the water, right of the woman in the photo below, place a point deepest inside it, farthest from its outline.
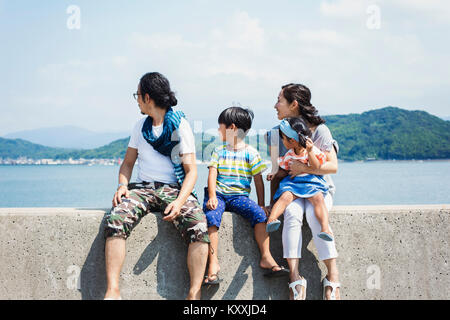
(391, 133)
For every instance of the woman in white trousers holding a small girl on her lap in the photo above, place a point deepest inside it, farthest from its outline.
(294, 100)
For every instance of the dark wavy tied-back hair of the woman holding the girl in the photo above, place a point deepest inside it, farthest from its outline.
(300, 93)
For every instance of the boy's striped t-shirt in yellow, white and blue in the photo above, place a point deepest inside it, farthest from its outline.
(235, 169)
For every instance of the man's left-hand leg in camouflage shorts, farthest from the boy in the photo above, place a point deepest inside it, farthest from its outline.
(119, 223)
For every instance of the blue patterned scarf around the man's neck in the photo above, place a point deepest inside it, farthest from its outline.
(164, 144)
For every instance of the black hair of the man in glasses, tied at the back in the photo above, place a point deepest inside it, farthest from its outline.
(158, 88)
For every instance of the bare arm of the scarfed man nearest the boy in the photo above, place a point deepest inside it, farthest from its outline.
(190, 168)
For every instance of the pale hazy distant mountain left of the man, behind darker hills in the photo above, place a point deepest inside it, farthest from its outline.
(67, 137)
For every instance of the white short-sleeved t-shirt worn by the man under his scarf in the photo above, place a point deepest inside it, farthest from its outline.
(152, 165)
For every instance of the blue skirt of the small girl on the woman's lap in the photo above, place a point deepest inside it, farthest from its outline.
(302, 186)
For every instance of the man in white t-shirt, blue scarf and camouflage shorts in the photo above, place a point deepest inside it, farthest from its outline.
(164, 144)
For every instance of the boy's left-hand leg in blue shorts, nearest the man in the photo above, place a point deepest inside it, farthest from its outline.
(214, 218)
